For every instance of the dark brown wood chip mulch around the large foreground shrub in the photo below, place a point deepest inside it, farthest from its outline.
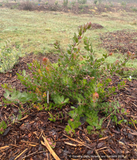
(35, 137)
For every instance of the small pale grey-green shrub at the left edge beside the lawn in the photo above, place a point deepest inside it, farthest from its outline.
(8, 57)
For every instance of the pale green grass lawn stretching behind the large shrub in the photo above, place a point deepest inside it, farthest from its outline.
(37, 31)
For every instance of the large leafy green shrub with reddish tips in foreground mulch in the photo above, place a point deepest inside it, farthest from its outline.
(78, 78)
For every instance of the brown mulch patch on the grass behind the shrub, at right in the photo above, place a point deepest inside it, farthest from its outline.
(120, 41)
